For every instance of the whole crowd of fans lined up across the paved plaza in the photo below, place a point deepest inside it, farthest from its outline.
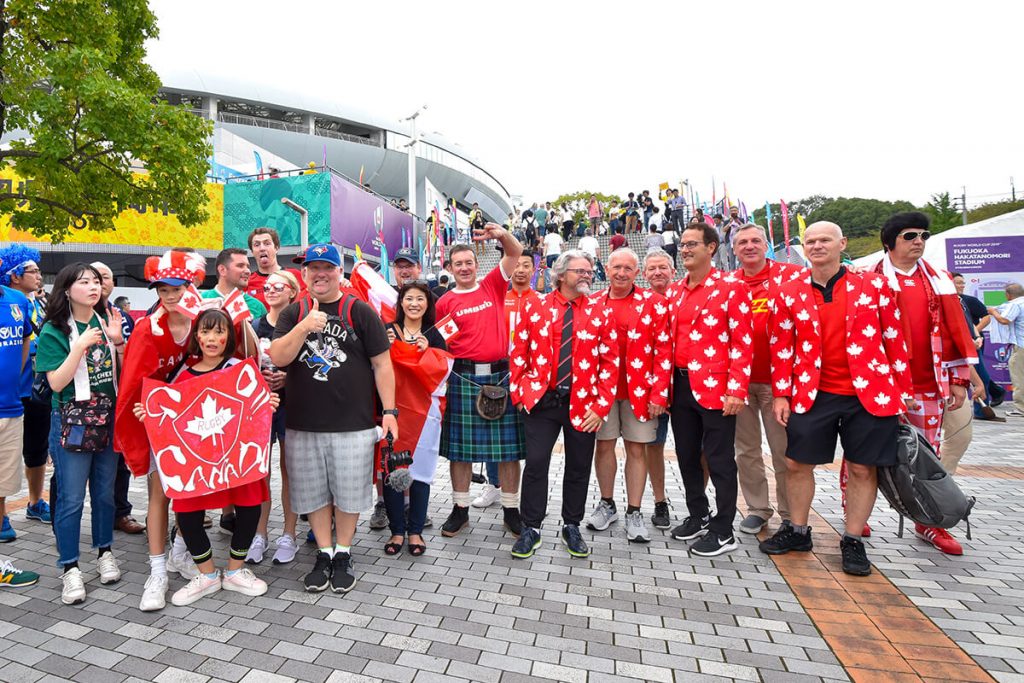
(720, 351)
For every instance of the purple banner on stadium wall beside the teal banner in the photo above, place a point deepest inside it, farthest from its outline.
(358, 218)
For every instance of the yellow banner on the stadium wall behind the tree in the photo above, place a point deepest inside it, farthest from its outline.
(147, 227)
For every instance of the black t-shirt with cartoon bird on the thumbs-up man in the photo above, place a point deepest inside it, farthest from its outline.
(330, 386)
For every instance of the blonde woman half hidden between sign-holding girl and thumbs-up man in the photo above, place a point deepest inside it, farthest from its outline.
(279, 291)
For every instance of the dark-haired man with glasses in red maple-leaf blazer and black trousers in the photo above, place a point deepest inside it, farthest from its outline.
(713, 346)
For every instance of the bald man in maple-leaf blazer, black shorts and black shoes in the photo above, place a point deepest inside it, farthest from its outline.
(841, 370)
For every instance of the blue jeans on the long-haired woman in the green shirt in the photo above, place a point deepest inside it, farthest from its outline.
(72, 472)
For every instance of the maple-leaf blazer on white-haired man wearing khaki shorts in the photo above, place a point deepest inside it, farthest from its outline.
(649, 351)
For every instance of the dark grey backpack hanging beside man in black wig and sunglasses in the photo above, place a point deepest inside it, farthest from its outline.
(918, 487)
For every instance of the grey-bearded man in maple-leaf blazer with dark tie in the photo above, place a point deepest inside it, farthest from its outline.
(565, 370)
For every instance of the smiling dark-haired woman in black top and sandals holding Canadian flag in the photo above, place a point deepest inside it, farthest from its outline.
(414, 325)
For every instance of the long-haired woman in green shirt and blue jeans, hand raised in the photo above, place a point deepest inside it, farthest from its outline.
(78, 350)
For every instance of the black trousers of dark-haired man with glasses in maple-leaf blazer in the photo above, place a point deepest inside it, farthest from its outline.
(699, 431)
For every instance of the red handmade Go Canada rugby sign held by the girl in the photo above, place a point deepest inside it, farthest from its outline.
(210, 434)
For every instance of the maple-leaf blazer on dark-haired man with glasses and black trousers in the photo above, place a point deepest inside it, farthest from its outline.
(721, 339)
